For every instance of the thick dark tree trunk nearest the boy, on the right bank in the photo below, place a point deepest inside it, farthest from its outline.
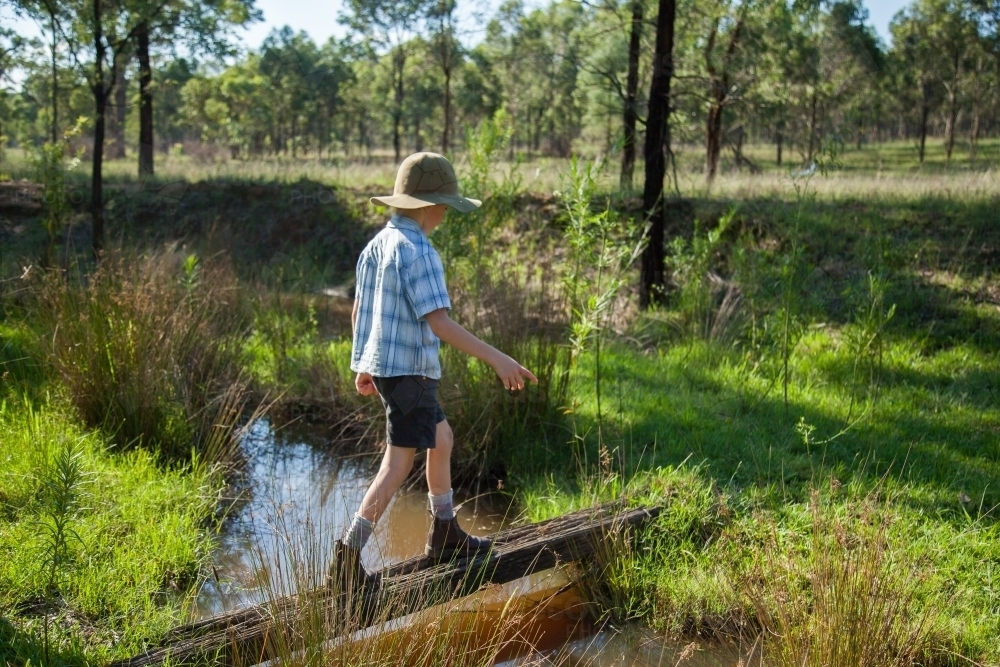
(651, 278)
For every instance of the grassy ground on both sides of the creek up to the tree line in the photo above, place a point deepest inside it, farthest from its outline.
(815, 402)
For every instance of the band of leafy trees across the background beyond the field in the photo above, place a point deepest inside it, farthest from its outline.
(805, 77)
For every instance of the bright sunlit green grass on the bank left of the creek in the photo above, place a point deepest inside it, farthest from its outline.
(139, 538)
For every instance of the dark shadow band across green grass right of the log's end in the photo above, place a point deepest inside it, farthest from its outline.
(676, 410)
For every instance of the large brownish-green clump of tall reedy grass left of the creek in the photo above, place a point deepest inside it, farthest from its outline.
(148, 347)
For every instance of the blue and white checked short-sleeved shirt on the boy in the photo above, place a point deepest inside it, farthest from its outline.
(399, 280)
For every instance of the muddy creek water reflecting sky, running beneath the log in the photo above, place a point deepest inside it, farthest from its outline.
(297, 498)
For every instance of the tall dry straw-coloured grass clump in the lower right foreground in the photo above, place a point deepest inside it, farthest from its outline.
(855, 601)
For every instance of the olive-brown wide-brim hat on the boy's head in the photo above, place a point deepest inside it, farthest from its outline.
(425, 179)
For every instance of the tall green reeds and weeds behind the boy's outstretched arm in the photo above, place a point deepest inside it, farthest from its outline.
(505, 289)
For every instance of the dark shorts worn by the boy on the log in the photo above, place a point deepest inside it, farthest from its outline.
(411, 409)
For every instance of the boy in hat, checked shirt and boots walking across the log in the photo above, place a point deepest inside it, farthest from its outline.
(400, 316)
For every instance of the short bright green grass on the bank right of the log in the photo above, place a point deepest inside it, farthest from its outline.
(702, 427)
